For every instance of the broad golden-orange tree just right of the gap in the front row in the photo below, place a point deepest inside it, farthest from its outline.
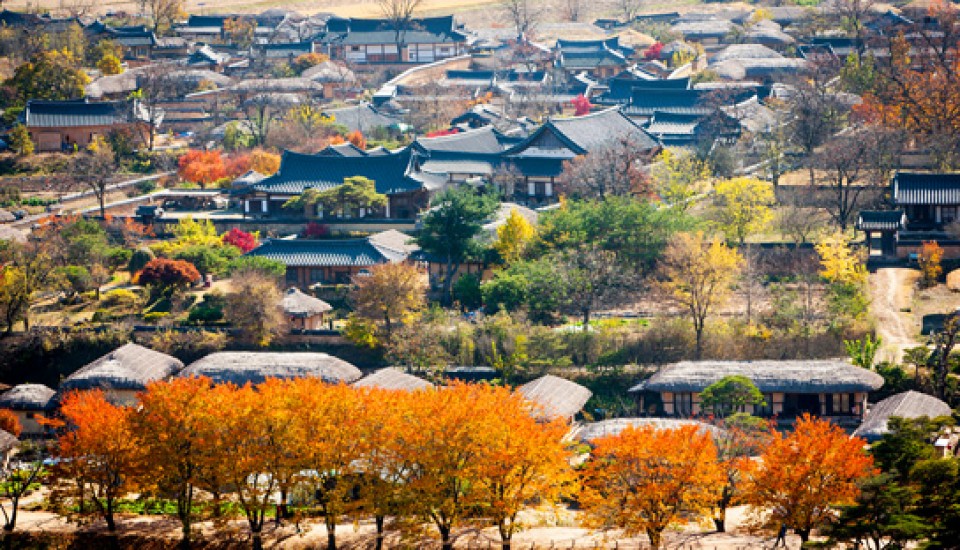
(644, 480)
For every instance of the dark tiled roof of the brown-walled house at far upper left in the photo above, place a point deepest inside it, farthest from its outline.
(77, 113)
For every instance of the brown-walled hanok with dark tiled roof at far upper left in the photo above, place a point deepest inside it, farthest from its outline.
(65, 125)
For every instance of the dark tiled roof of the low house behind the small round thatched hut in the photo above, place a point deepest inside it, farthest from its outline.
(322, 253)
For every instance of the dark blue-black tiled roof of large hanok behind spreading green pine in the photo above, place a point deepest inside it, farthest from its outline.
(299, 172)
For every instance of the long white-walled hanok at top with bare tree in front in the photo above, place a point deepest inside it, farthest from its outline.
(376, 40)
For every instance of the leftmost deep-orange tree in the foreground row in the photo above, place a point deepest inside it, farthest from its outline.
(100, 449)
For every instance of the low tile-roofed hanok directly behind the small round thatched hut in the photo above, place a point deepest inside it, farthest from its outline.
(328, 261)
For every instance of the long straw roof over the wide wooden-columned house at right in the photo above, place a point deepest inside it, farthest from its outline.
(828, 375)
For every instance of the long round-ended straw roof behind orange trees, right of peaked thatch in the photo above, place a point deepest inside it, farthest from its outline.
(241, 367)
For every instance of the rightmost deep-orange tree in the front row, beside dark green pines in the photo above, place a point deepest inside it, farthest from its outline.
(800, 477)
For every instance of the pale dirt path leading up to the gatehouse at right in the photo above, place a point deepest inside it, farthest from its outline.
(891, 291)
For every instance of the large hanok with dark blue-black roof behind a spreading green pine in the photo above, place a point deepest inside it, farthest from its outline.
(394, 175)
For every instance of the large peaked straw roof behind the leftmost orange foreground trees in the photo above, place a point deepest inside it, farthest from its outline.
(129, 367)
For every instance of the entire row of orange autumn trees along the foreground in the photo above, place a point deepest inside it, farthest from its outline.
(463, 455)
